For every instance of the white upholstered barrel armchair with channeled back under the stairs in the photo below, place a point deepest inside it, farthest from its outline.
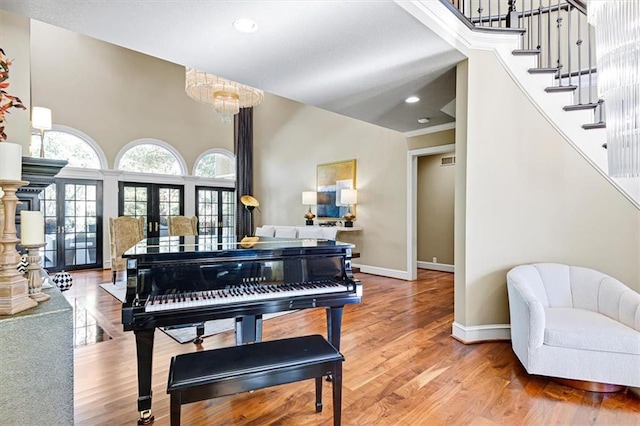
(574, 323)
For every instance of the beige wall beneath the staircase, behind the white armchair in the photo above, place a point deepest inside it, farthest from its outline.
(530, 197)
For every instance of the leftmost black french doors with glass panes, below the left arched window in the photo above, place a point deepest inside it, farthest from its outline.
(72, 211)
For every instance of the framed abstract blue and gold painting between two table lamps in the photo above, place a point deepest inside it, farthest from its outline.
(332, 177)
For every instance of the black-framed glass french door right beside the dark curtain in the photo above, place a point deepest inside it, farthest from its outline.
(216, 211)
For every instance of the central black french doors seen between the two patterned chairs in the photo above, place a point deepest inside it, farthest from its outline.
(154, 202)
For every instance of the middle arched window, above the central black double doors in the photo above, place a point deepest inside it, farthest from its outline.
(150, 157)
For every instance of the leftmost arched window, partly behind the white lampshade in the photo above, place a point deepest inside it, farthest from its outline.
(71, 145)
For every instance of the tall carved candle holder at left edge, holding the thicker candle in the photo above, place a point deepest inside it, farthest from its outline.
(14, 290)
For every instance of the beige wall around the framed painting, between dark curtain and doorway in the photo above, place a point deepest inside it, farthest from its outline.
(291, 139)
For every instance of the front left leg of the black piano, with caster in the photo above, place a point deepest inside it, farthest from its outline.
(144, 348)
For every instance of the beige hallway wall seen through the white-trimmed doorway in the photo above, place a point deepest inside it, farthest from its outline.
(435, 209)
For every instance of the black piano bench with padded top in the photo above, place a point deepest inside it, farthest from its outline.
(214, 373)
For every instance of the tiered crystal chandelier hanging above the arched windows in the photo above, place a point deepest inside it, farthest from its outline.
(226, 96)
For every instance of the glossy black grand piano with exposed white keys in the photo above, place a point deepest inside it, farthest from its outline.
(174, 281)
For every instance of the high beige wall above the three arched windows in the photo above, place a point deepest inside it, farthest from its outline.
(116, 95)
